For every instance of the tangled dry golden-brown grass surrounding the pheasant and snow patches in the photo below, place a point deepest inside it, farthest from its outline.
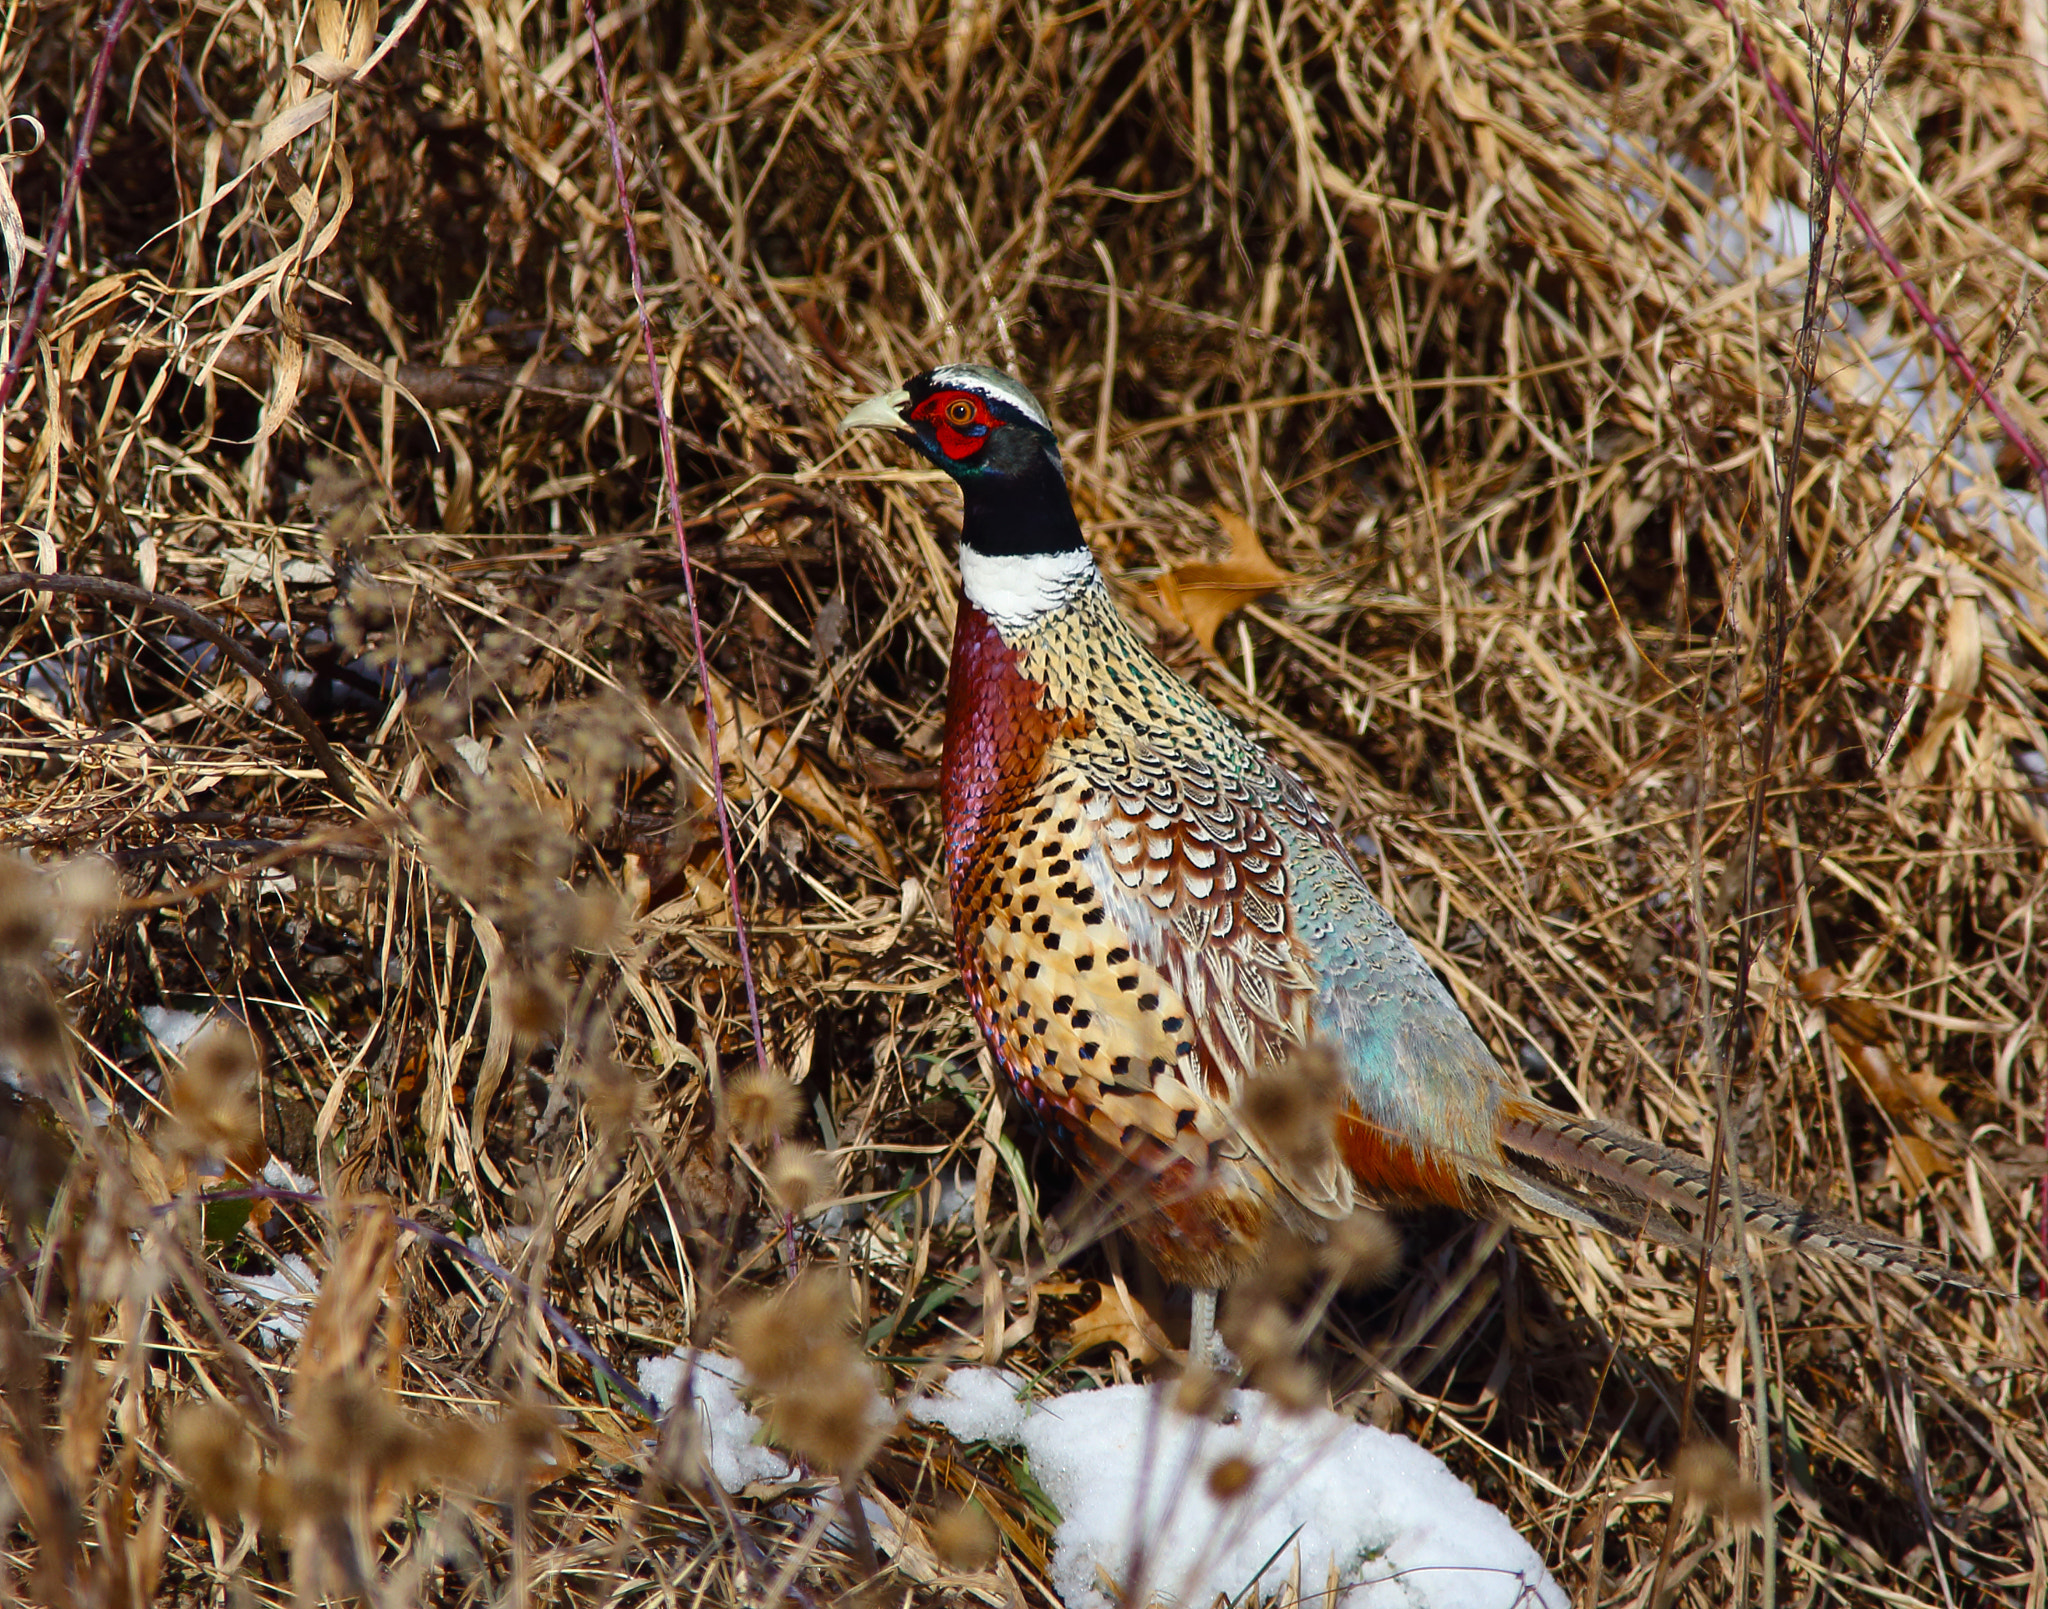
(1408, 294)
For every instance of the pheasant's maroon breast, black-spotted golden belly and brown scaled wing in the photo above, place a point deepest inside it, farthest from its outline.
(1121, 912)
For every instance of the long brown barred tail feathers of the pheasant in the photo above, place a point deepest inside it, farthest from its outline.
(1607, 1176)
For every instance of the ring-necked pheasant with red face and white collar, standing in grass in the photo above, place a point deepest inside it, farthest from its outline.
(1150, 910)
